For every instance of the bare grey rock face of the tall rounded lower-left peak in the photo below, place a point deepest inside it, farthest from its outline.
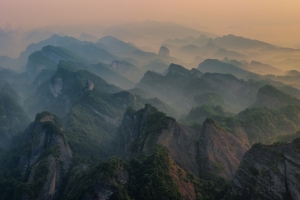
(48, 153)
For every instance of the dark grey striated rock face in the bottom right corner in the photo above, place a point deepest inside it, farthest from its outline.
(269, 172)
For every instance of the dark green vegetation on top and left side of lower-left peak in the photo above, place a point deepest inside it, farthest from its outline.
(14, 179)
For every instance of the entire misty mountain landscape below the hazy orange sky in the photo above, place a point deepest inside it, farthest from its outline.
(147, 111)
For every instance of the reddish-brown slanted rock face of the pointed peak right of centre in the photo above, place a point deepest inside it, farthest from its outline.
(219, 151)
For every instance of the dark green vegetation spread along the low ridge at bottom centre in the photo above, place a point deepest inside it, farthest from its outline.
(150, 176)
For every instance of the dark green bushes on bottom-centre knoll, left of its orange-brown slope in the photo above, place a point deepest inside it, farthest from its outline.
(151, 177)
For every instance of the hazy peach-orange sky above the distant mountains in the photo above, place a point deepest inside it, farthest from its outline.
(274, 21)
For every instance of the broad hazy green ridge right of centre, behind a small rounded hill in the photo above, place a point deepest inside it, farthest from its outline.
(179, 86)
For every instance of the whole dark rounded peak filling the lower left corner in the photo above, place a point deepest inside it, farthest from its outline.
(37, 167)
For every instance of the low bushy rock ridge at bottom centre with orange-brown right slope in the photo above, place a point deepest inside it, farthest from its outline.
(118, 179)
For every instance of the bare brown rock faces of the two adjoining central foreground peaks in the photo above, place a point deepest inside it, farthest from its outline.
(217, 151)
